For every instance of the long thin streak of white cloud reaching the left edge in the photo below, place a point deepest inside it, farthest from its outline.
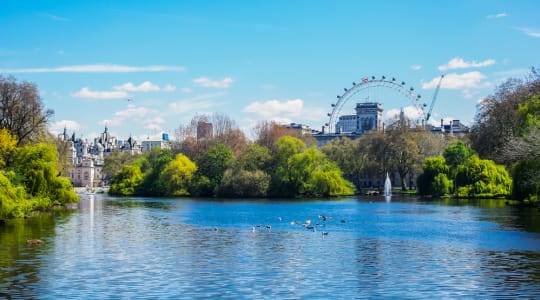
(97, 68)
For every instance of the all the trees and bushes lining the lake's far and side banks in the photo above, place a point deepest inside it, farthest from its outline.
(500, 157)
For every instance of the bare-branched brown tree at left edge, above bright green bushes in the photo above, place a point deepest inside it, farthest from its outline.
(22, 111)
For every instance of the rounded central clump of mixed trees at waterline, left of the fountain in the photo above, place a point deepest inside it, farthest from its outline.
(226, 164)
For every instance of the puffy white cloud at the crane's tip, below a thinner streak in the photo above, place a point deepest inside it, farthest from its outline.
(454, 81)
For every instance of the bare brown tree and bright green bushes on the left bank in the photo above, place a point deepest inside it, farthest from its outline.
(29, 163)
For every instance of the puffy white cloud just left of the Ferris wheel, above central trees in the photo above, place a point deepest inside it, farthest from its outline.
(280, 111)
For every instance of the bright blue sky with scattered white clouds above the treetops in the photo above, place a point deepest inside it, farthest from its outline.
(143, 68)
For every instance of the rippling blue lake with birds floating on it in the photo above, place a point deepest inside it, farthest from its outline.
(288, 249)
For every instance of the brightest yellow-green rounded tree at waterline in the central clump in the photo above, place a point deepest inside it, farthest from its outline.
(177, 176)
